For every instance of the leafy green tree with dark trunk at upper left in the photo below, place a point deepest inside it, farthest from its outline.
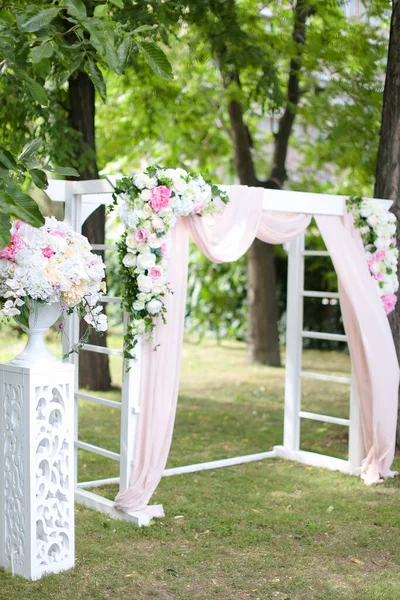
(54, 44)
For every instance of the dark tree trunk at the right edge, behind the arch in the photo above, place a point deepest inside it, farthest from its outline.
(387, 184)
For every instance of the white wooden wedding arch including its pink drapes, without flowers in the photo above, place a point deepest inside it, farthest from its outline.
(371, 429)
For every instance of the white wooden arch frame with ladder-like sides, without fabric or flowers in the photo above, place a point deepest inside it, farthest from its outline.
(81, 198)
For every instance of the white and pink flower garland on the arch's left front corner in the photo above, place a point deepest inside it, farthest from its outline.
(149, 204)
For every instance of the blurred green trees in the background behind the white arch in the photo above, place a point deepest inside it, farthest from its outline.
(291, 92)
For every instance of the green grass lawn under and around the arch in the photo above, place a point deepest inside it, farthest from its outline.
(266, 530)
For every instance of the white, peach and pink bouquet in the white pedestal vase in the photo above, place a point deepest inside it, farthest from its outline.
(48, 265)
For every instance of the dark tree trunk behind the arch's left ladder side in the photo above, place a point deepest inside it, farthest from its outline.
(94, 370)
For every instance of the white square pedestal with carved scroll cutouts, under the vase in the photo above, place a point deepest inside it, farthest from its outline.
(36, 469)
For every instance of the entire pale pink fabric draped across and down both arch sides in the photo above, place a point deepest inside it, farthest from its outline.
(224, 238)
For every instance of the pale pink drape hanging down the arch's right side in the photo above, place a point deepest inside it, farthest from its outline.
(371, 345)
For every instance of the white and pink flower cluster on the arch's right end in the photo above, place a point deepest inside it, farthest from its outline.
(378, 231)
